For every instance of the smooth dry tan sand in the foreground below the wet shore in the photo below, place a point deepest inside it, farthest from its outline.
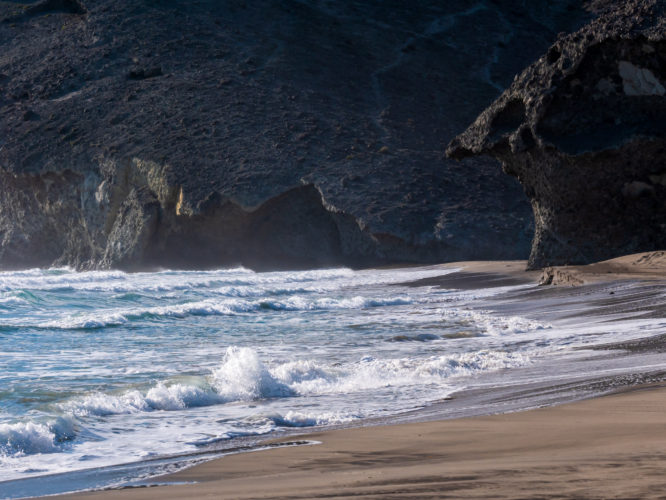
(609, 447)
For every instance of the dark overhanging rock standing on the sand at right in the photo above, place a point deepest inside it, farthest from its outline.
(584, 131)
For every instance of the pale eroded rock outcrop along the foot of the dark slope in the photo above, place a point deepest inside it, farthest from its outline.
(131, 219)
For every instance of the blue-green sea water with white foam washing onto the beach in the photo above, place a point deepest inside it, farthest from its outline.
(105, 368)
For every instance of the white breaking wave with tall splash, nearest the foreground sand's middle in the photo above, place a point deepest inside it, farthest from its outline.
(242, 376)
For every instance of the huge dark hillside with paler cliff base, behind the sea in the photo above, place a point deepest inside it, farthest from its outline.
(277, 133)
